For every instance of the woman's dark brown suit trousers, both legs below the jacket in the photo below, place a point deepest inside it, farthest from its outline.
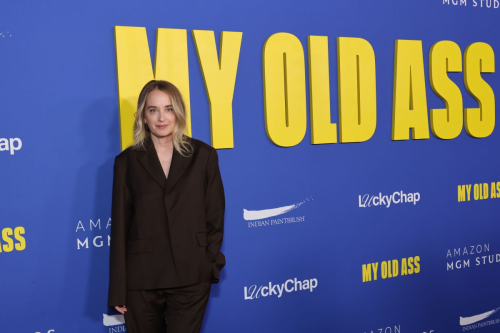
(183, 308)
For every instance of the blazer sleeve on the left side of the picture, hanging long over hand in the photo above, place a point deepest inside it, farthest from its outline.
(121, 213)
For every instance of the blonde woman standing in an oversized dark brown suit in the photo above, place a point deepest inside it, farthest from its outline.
(167, 219)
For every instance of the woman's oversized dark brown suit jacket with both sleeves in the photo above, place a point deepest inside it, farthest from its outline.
(165, 232)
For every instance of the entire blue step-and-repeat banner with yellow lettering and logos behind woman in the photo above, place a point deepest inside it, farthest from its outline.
(357, 143)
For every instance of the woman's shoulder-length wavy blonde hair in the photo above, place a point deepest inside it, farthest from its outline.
(141, 131)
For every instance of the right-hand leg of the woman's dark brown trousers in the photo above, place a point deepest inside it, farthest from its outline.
(186, 307)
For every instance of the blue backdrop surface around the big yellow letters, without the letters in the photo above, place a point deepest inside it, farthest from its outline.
(58, 89)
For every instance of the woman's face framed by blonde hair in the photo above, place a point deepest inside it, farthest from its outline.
(159, 114)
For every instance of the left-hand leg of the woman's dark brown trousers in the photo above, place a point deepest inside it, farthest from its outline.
(145, 311)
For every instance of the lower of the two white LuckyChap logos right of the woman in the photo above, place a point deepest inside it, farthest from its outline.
(289, 286)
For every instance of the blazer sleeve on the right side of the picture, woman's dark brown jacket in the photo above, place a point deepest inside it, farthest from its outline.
(214, 214)
